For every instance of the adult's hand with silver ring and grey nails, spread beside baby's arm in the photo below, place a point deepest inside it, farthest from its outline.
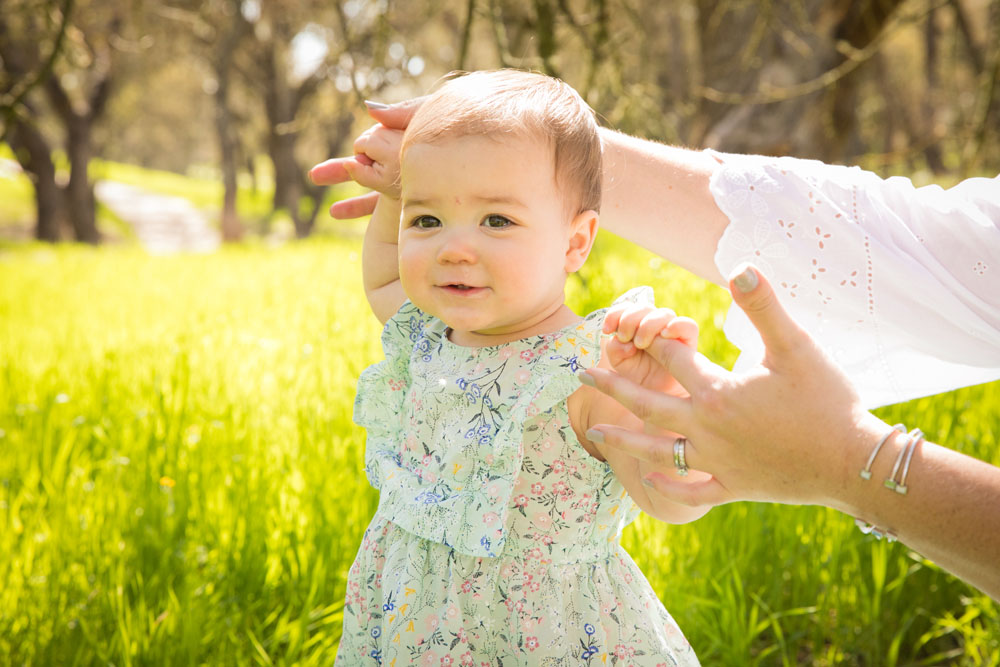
(790, 430)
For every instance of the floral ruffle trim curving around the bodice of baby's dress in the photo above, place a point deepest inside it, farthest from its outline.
(437, 511)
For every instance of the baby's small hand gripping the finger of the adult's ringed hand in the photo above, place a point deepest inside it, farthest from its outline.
(634, 328)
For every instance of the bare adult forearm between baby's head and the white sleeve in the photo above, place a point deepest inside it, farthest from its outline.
(657, 196)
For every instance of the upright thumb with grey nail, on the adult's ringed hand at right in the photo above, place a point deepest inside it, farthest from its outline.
(754, 295)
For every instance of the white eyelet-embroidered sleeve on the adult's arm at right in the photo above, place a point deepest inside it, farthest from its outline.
(899, 284)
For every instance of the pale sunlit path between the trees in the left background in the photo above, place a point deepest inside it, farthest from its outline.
(163, 224)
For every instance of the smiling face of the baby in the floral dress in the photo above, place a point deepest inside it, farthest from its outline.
(484, 235)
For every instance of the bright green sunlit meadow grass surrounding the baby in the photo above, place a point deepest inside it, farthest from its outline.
(181, 482)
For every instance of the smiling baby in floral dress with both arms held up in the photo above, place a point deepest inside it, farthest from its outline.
(496, 539)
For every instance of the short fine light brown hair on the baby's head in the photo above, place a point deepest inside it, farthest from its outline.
(512, 103)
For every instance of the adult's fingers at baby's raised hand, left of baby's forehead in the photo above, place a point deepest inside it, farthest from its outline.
(380, 138)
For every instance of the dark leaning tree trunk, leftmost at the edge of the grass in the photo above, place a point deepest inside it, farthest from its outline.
(34, 155)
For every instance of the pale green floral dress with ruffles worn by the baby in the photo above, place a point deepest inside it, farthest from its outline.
(496, 537)
